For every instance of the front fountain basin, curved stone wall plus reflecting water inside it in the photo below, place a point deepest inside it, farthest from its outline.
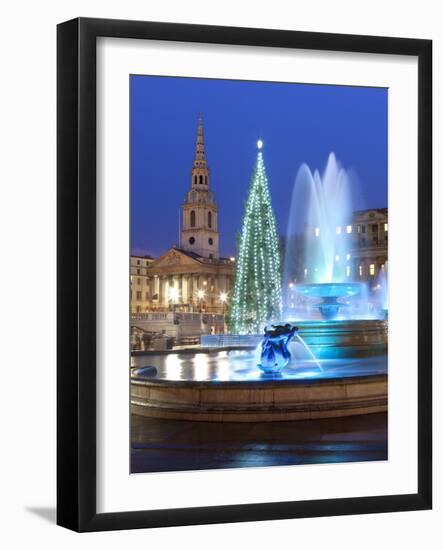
(228, 387)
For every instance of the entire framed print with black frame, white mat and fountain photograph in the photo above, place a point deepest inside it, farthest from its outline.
(244, 274)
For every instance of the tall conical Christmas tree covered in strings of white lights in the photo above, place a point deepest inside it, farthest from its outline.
(257, 287)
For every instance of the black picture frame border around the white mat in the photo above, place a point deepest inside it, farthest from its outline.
(76, 265)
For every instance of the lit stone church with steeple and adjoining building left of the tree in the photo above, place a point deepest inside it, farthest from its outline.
(190, 277)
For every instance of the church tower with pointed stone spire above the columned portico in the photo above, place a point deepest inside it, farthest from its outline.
(199, 233)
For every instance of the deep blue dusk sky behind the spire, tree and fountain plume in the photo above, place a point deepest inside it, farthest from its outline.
(297, 122)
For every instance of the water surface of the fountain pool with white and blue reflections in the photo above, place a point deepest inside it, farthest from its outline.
(240, 366)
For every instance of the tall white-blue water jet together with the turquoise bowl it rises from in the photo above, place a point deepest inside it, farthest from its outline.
(325, 202)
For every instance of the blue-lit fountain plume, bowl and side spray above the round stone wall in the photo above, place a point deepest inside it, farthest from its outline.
(319, 277)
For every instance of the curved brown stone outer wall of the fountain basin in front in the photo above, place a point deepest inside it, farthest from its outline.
(268, 401)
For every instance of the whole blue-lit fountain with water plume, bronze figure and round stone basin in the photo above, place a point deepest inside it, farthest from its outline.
(326, 358)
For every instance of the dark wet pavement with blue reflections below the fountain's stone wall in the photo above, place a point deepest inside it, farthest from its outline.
(175, 445)
